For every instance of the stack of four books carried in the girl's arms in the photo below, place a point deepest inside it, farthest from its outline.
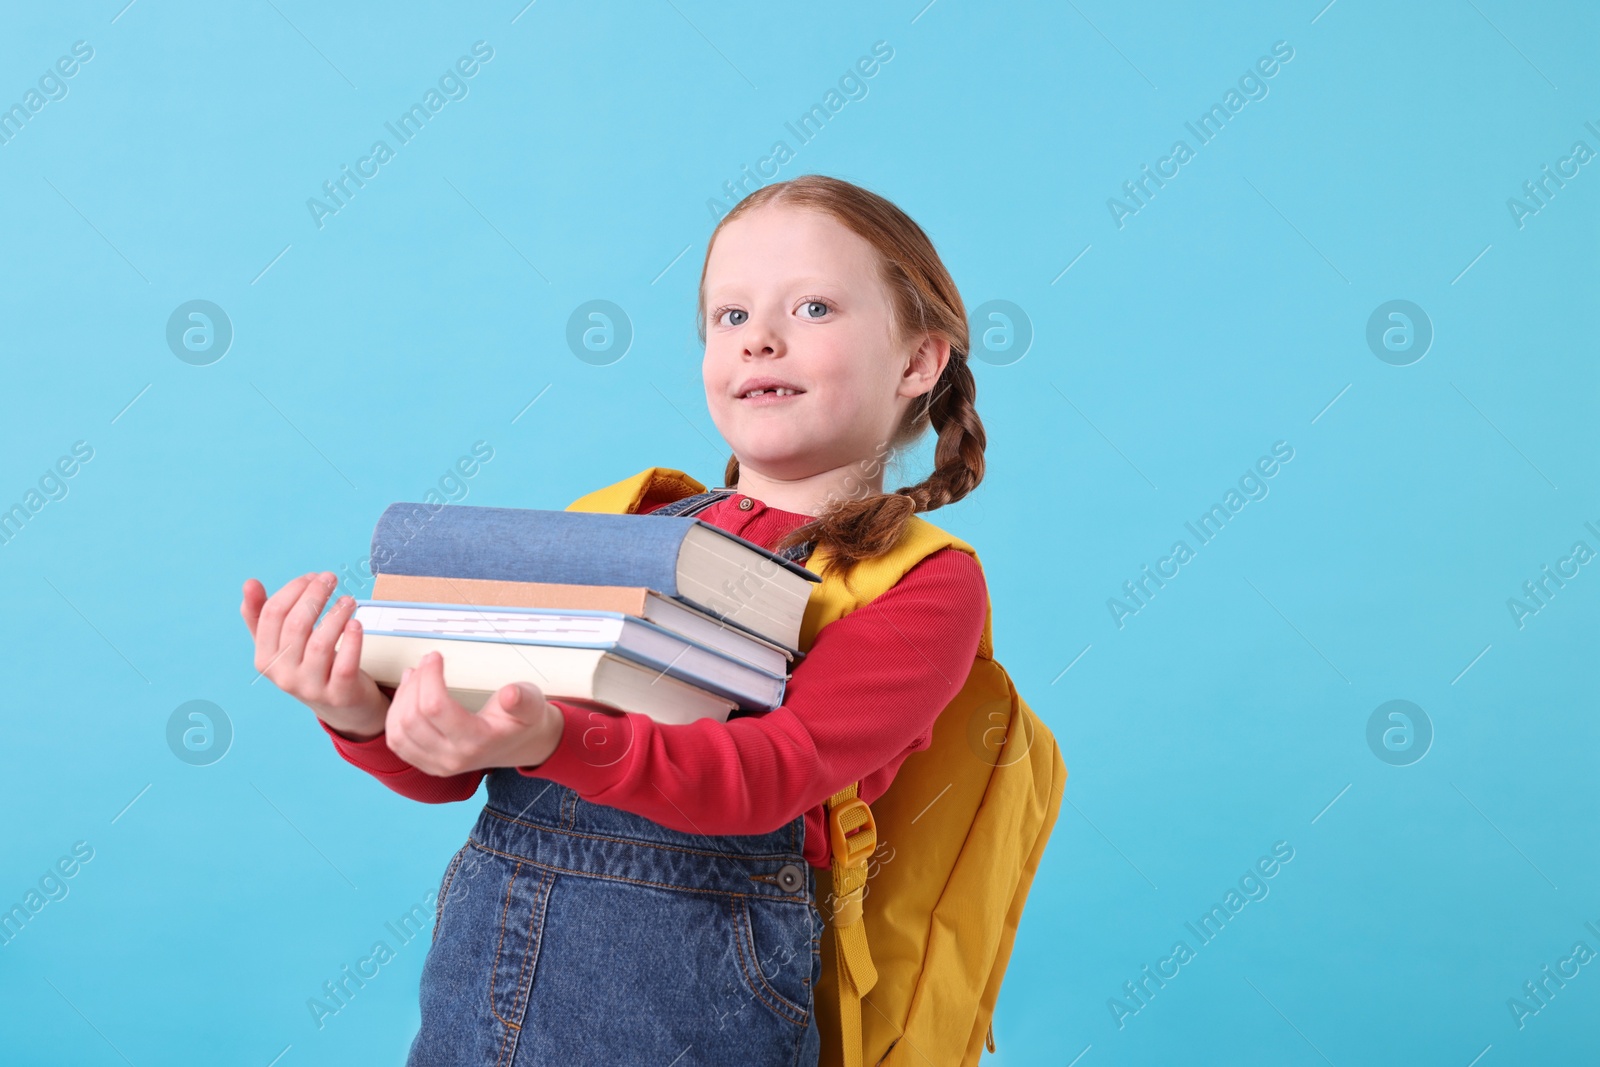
(668, 617)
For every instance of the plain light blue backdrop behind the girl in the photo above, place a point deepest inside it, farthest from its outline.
(1226, 316)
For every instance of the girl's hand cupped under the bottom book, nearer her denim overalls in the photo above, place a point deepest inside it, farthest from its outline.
(434, 733)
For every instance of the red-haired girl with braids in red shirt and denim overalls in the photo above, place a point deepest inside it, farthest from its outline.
(644, 893)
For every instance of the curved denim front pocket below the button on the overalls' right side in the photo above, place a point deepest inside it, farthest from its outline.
(777, 953)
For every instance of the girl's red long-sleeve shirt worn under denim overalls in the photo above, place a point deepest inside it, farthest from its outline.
(863, 700)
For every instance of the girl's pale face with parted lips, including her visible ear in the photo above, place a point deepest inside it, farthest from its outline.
(794, 298)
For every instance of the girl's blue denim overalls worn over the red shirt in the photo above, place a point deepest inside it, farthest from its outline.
(572, 933)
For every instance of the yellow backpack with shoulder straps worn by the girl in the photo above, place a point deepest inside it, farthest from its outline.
(962, 829)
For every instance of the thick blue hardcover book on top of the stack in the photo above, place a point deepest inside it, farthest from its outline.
(681, 557)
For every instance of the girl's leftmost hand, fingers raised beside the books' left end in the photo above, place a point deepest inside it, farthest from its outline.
(305, 663)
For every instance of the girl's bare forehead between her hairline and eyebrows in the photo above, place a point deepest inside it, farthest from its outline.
(780, 246)
